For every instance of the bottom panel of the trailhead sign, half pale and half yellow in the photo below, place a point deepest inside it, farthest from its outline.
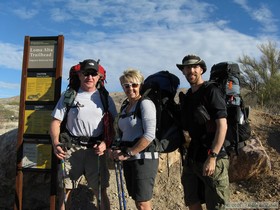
(37, 156)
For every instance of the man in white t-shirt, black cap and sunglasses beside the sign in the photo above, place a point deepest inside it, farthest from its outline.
(85, 128)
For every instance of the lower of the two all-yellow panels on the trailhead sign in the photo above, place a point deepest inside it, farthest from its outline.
(37, 120)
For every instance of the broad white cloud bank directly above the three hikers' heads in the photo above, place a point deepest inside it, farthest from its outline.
(160, 49)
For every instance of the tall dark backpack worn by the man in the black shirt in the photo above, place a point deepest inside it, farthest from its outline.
(227, 76)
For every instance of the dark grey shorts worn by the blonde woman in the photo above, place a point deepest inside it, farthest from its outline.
(140, 178)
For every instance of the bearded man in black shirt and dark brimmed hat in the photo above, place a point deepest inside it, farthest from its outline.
(205, 174)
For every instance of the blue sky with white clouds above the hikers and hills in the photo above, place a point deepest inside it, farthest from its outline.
(148, 35)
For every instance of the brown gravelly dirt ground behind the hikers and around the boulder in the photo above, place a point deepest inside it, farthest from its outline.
(262, 192)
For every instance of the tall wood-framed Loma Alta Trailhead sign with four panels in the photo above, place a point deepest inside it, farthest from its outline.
(40, 91)
